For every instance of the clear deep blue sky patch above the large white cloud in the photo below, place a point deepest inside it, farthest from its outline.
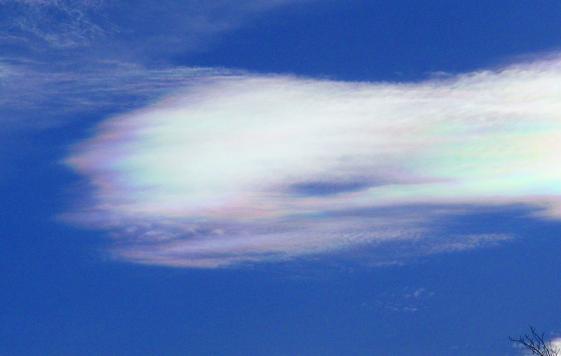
(387, 40)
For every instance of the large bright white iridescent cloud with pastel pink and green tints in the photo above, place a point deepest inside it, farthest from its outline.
(249, 168)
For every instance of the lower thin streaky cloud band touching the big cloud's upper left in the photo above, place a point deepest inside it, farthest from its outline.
(62, 94)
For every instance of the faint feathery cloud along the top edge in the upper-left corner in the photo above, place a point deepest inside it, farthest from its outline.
(126, 26)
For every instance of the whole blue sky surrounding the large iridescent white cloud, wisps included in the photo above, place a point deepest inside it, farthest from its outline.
(60, 294)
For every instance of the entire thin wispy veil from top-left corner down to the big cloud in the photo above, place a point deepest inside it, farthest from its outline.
(73, 56)
